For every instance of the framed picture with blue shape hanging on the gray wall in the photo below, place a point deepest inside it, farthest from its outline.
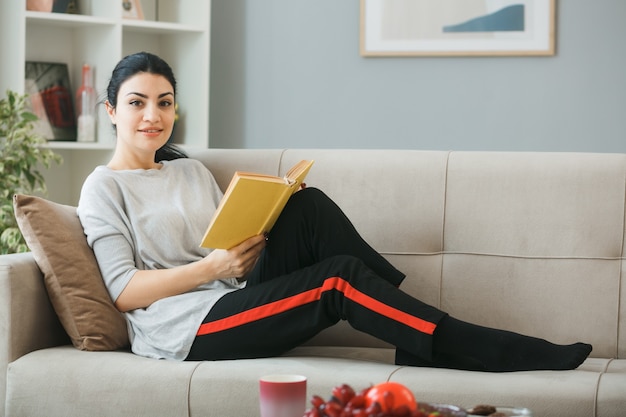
(457, 28)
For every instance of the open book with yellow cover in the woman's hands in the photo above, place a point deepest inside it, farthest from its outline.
(251, 205)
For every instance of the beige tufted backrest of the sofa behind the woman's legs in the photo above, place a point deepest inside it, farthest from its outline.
(530, 242)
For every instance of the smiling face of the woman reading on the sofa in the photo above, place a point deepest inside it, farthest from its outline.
(144, 115)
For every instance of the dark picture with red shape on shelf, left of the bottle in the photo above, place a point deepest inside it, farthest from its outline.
(48, 85)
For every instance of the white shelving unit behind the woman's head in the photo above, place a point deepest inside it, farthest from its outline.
(176, 30)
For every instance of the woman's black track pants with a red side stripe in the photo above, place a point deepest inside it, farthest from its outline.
(315, 271)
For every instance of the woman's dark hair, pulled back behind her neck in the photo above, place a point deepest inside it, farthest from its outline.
(152, 64)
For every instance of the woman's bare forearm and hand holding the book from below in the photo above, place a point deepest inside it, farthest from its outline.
(148, 286)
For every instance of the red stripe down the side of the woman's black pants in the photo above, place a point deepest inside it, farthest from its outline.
(332, 283)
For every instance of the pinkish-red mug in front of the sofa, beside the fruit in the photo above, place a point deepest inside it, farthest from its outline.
(282, 395)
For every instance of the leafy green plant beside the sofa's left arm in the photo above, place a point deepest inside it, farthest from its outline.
(22, 153)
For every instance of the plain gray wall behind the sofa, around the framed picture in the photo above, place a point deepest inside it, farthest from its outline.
(287, 73)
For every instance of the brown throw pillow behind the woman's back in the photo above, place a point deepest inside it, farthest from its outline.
(55, 236)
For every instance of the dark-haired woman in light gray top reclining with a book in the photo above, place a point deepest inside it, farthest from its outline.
(144, 214)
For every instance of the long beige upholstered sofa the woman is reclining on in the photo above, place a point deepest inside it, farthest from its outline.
(531, 242)
